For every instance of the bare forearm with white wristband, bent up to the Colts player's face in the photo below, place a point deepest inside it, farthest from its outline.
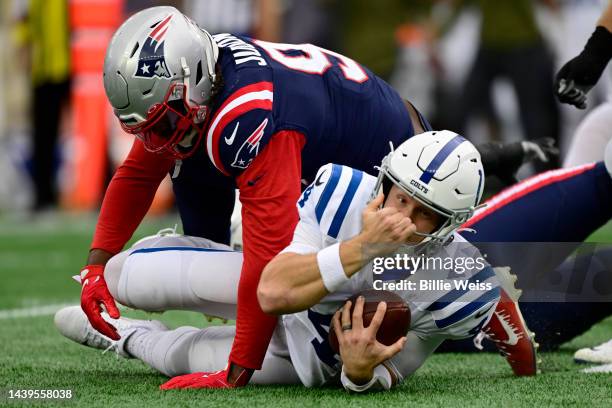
(295, 281)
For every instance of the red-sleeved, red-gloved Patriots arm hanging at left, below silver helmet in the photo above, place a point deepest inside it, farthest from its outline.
(126, 201)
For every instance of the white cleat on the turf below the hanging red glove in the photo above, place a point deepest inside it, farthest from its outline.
(72, 323)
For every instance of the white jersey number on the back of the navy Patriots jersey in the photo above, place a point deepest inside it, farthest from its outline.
(314, 60)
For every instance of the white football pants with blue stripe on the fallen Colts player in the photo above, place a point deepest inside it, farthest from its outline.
(175, 272)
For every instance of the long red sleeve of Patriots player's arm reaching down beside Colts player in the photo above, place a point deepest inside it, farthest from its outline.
(269, 189)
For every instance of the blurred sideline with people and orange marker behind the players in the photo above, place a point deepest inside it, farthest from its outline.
(482, 67)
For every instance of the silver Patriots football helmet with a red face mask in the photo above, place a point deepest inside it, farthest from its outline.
(159, 73)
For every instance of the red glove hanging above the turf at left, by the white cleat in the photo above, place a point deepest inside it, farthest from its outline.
(94, 293)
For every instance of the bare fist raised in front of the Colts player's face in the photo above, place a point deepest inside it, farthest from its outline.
(384, 229)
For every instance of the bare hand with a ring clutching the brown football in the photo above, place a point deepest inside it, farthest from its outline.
(359, 350)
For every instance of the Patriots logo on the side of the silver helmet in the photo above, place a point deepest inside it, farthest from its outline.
(151, 60)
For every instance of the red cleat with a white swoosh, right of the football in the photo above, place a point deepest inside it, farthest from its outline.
(508, 331)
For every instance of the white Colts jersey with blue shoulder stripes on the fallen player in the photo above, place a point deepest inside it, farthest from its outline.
(330, 211)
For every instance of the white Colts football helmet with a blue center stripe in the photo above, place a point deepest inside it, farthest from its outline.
(440, 169)
